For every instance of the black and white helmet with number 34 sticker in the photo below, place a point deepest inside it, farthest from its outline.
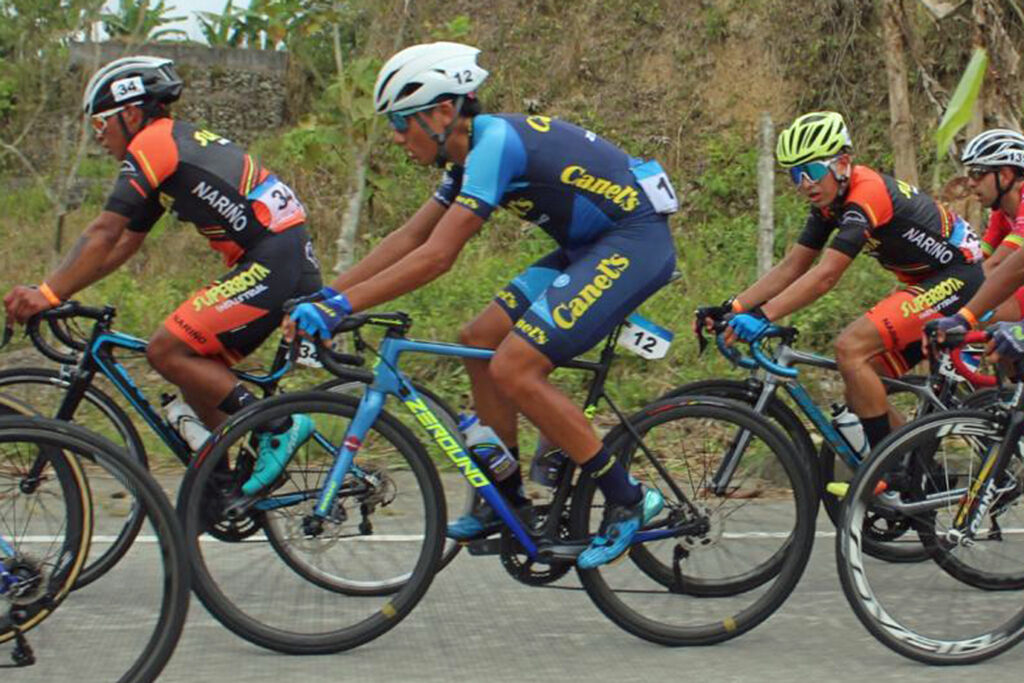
(137, 80)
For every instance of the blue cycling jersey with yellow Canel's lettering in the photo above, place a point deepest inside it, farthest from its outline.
(566, 180)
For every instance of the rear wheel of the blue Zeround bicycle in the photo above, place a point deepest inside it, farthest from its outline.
(746, 546)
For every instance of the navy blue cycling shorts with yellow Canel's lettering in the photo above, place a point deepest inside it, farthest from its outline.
(571, 300)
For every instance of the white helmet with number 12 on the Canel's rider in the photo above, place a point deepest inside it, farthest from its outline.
(418, 75)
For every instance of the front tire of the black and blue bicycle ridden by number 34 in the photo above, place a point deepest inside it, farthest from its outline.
(33, 379)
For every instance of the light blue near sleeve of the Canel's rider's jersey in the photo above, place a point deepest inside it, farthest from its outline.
(498, 157)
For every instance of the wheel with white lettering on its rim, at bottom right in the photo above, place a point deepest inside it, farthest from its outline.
(928, 612)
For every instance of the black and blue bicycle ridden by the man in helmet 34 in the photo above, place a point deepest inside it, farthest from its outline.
(71, 394)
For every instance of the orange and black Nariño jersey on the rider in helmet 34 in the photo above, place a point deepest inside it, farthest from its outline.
(204, 180)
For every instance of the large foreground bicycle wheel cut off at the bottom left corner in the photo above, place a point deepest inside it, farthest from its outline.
(124, 629)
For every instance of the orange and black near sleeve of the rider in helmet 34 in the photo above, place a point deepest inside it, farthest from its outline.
(152, 158)
